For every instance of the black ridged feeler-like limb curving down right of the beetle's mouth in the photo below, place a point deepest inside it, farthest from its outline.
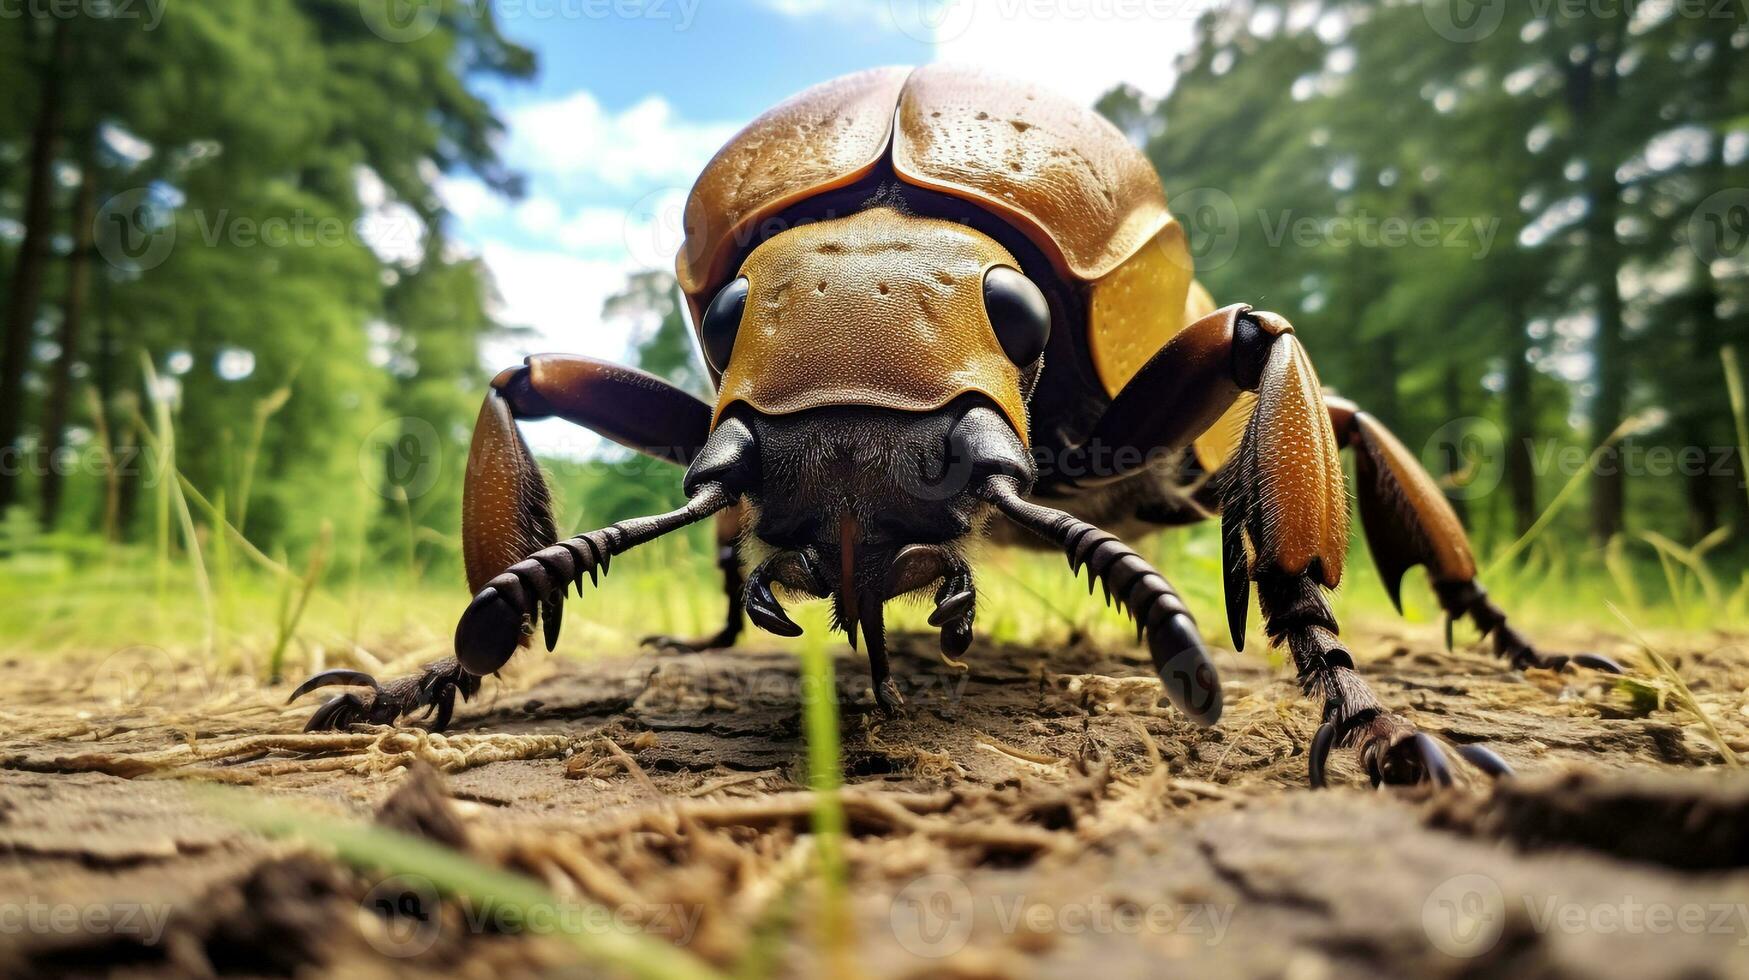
(1145, 594)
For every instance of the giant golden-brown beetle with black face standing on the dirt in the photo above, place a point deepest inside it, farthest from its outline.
(940, 305)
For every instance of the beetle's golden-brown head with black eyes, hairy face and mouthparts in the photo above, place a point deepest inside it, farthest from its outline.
(875, 372)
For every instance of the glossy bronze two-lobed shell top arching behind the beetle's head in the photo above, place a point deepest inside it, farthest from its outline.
(1056, 169)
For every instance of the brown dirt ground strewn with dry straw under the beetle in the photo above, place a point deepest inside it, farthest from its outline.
(1035, 815)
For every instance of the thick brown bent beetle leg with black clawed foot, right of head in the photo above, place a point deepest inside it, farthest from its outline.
(1285, 515)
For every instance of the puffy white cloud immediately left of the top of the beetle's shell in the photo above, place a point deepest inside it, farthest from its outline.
(578, 141)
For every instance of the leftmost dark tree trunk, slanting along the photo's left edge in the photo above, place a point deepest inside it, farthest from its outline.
(32, 255)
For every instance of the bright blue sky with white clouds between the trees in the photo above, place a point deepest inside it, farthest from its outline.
(627, 109)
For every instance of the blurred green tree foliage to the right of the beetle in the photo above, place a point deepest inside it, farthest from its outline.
(1556, 164)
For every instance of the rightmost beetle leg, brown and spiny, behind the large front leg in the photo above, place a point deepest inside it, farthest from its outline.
(1409, 522)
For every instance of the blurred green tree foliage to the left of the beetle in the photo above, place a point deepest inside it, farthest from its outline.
(293, 155)
